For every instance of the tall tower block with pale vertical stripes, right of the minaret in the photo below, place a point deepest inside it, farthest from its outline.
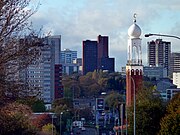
(159, 53)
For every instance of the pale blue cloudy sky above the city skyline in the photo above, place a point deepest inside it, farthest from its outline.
(78, 20)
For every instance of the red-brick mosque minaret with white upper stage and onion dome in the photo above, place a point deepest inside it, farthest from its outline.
(134, 67)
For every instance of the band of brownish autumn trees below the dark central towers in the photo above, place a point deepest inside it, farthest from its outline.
(92, 84)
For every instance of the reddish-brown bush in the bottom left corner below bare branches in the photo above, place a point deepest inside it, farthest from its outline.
(15, 119)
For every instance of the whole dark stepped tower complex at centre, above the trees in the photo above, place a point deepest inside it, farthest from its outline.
(103, 62)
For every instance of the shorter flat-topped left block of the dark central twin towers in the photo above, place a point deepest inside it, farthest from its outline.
(90, 56)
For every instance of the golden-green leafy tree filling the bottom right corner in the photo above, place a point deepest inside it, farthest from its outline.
(170, 123)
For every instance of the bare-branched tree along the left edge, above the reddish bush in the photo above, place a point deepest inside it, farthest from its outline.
(16, 51)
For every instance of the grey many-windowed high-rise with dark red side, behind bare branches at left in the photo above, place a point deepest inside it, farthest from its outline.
(46, 72)
